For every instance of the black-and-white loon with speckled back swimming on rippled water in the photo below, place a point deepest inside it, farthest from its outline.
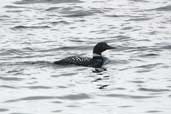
(97, 61)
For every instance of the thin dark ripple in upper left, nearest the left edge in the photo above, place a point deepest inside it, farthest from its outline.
(29, 27)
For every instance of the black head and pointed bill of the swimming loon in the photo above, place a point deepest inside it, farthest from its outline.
(100, 47)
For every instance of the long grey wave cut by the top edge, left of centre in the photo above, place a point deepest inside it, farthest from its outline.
(47, 1)
